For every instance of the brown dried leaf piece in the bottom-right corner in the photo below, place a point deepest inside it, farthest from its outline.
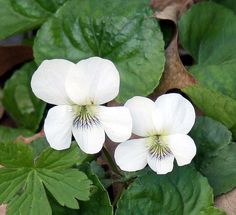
(227, 202)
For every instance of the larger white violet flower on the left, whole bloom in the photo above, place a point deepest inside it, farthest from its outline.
(78, 90)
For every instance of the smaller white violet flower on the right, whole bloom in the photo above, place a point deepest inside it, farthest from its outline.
(164, 126)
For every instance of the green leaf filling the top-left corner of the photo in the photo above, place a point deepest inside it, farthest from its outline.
(22, 15)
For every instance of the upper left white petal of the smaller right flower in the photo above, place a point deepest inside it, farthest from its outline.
(141, 109)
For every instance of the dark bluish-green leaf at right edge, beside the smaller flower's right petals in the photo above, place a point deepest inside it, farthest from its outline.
(216, 154)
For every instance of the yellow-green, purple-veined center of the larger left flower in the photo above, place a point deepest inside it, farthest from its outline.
(85, 116)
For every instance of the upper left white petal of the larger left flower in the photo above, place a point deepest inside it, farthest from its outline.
(48, 81)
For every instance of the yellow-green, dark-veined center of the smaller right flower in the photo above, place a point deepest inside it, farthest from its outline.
(158, 148)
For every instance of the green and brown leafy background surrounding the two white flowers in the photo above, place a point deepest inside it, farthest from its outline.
(35, 179)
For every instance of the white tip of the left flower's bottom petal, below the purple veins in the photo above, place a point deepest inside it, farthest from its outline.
(89, 139)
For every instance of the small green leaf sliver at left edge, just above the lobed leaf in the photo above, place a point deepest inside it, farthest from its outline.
(8, 134)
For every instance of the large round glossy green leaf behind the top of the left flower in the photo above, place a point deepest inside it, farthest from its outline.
(126, 33)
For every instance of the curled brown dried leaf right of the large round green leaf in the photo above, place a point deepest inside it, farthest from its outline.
(175, 74)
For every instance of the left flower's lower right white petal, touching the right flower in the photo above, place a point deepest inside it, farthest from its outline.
(116, 121)
